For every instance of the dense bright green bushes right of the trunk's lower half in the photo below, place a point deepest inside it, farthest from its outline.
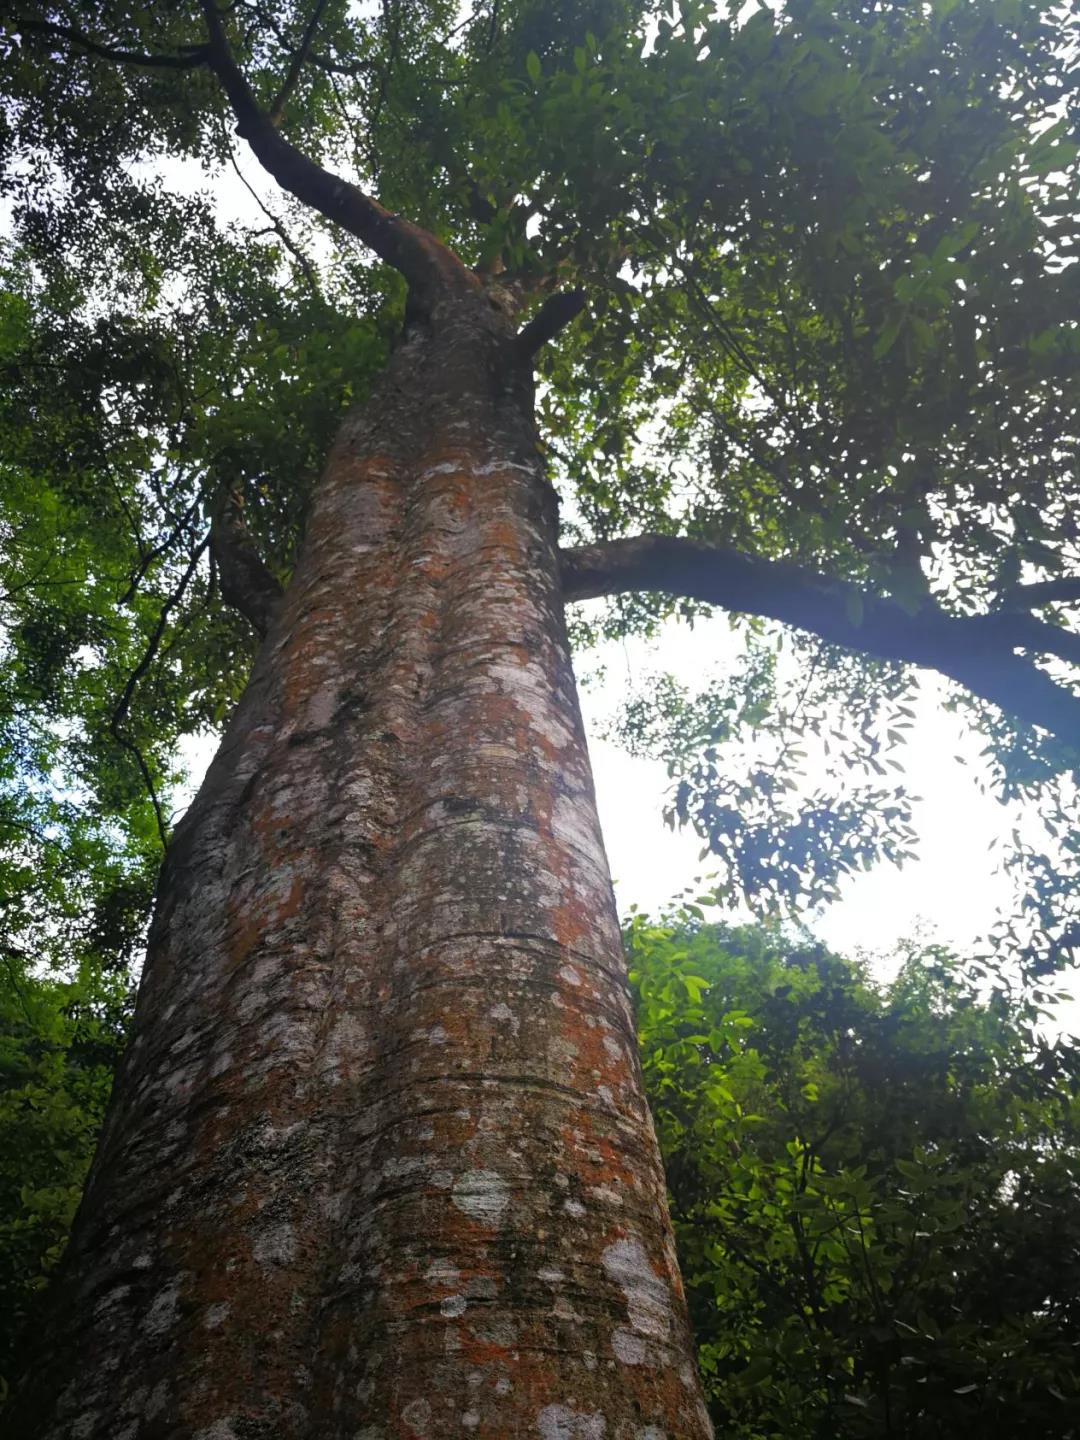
(876, 1189)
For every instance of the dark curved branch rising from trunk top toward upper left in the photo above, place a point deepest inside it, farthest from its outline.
(426, 263)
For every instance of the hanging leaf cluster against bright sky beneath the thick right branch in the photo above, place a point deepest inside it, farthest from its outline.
(778, 840)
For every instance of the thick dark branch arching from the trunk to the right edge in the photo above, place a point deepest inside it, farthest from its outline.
(977, 652)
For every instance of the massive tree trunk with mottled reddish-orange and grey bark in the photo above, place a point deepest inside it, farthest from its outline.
(379, 1164)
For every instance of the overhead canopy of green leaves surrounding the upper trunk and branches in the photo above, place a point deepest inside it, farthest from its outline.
(830, 258)
